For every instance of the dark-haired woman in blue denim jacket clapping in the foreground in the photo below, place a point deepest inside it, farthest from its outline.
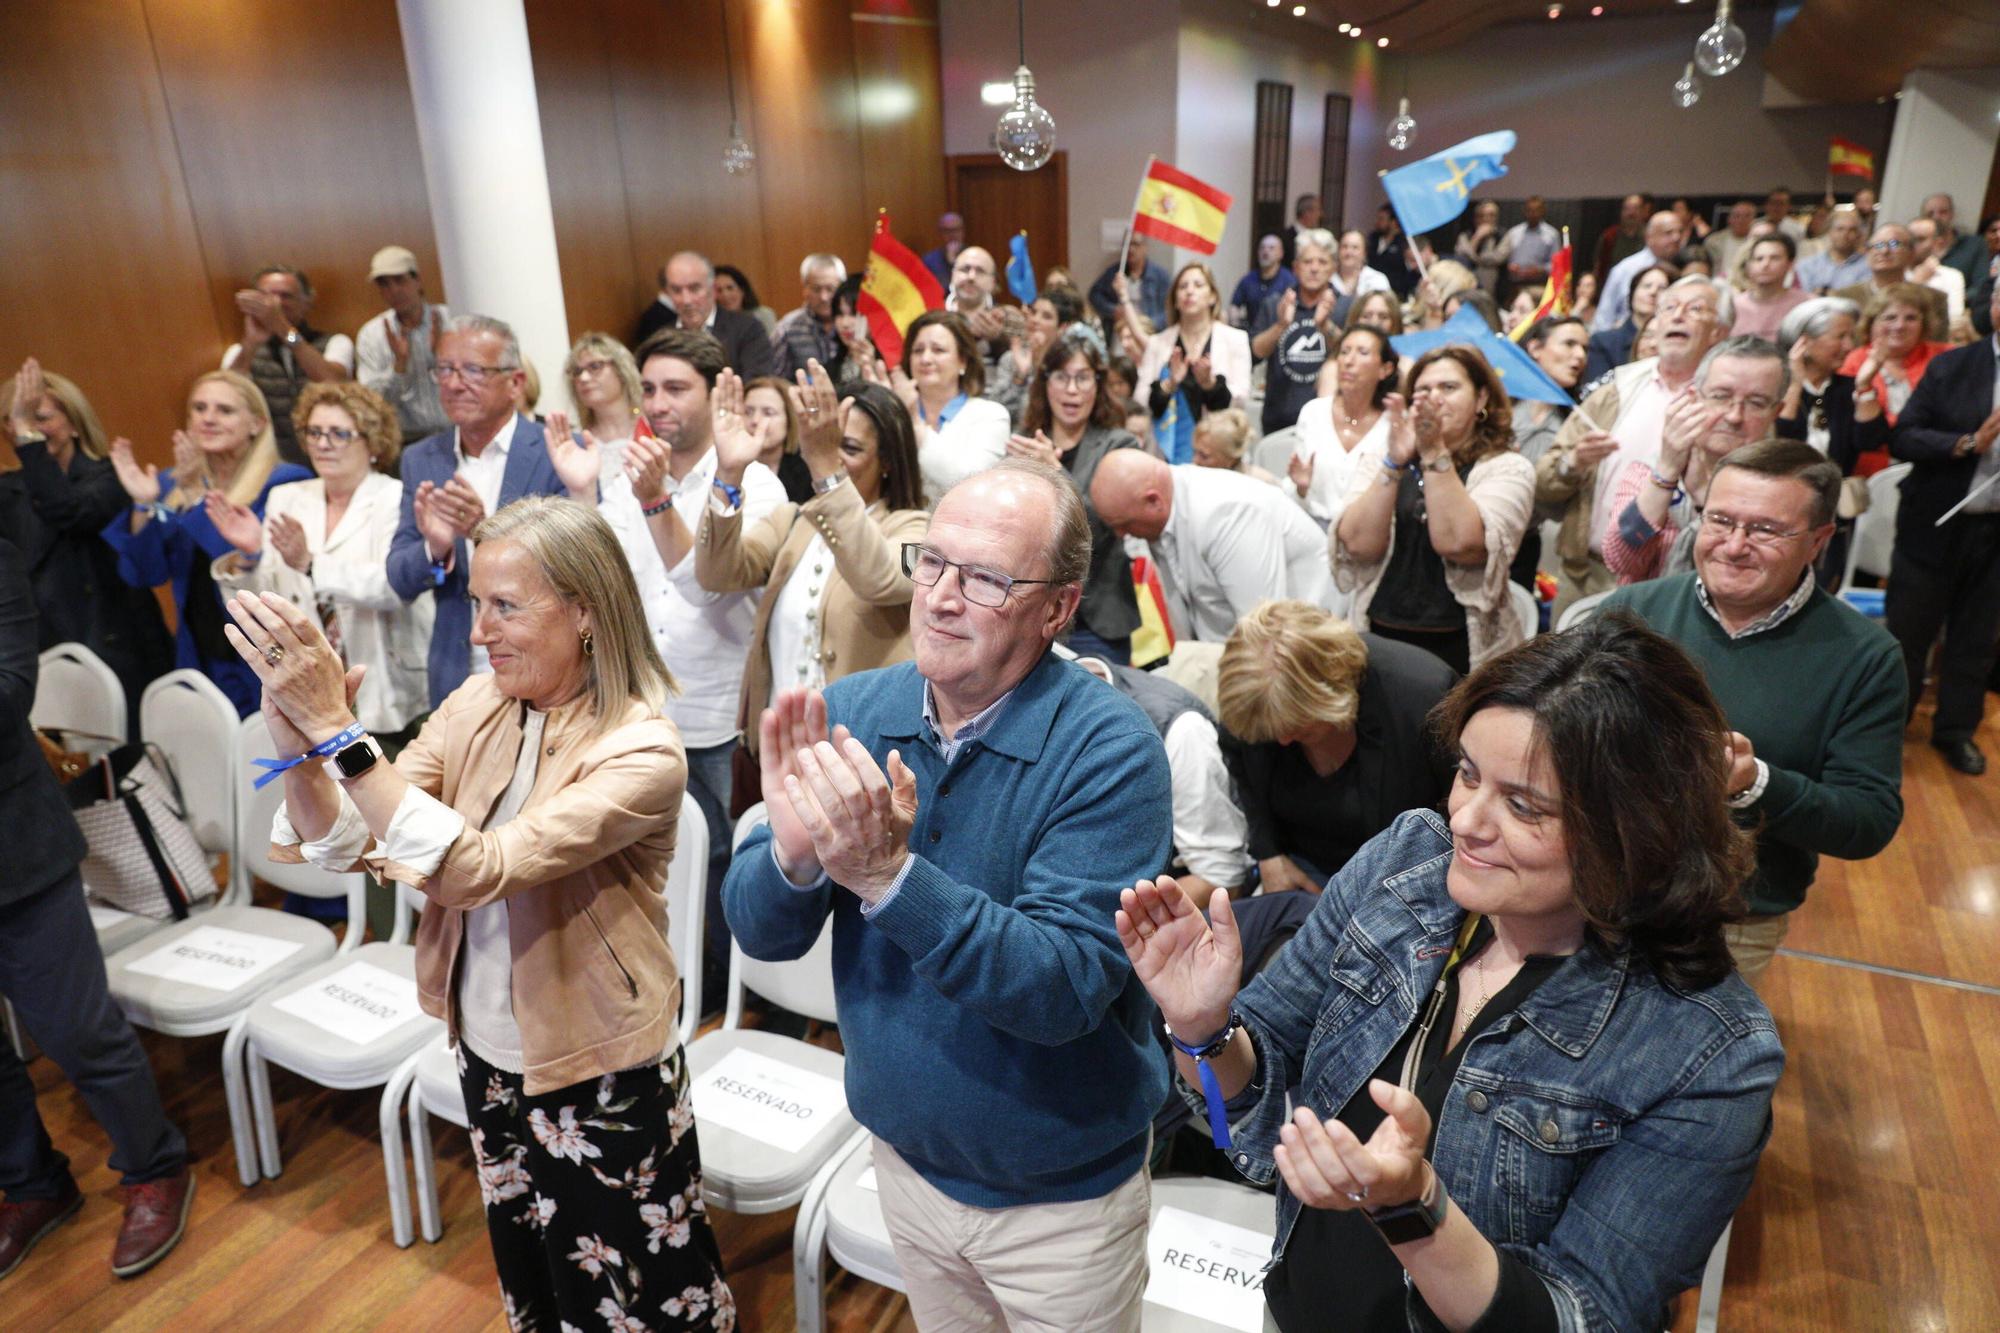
(1505, 1074)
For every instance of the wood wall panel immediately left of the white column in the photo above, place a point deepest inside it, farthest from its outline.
(297, 145)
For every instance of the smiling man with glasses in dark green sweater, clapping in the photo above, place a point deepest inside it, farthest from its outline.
(1813, 690)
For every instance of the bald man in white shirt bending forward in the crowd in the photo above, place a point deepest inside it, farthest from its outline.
(1223, 541)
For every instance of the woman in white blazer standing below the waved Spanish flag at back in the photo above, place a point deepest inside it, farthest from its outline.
(1193, 367)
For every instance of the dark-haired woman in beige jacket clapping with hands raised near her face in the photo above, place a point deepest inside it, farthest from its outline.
(835, 595)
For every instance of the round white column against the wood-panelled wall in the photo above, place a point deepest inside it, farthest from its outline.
(481, 131)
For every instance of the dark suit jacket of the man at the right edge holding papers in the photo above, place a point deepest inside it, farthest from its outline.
(1951, 401)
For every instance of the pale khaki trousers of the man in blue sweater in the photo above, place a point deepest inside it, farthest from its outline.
(1043, 1268)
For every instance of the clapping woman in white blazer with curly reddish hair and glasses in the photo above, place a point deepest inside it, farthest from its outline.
(325, 545)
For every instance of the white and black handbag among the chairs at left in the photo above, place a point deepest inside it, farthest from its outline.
(143, 854)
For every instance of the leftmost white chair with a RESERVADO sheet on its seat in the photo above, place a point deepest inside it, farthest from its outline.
(201, 736)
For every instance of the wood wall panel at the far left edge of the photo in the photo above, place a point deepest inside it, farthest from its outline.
(105, 273)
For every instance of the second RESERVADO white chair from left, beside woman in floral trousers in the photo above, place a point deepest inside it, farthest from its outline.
(271, 1036)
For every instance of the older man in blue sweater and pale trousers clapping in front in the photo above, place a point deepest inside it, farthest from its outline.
(969, 822)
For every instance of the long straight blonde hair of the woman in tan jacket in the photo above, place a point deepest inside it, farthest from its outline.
(583, 561)
